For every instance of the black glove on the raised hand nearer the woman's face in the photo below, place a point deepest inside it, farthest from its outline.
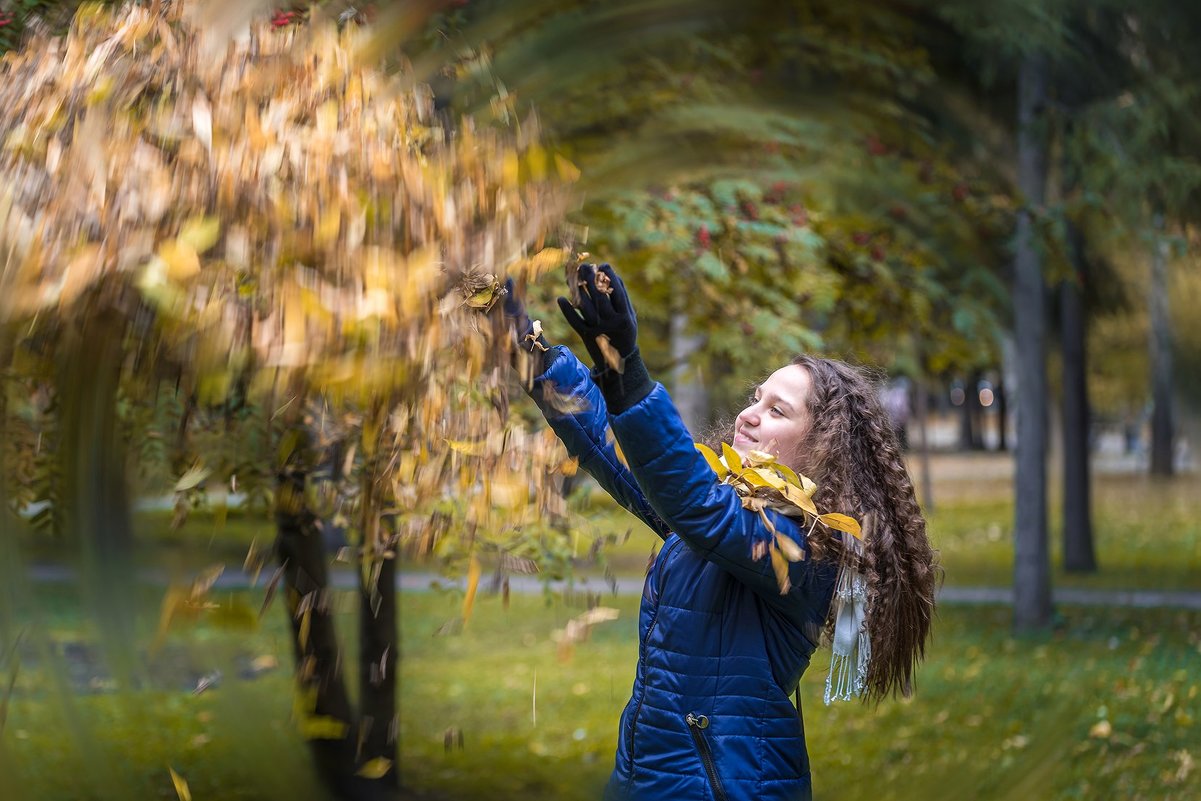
(604, 312)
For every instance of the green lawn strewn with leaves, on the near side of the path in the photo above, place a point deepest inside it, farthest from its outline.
(1102, 709)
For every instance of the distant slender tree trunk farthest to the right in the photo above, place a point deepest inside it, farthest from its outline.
(1162, 463)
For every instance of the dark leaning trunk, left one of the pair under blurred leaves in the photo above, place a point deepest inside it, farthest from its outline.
(322, 703)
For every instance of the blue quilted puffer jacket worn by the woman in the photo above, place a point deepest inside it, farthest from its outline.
(721, 649)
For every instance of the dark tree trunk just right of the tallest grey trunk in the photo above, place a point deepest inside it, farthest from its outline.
(1079, 555)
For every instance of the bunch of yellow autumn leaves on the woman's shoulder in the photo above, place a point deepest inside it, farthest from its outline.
(764, 483)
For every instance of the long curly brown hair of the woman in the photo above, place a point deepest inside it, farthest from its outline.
(852, 452)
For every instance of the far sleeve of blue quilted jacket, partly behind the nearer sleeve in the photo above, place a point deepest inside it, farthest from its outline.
(576, 411)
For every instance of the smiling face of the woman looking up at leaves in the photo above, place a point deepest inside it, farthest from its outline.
(779, 417)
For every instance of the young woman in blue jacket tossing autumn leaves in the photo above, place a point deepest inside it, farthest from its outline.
(722, 648)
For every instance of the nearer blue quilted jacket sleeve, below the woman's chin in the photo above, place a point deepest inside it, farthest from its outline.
(708, 515)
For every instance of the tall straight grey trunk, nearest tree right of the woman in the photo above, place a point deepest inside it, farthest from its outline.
(1032, 569)
